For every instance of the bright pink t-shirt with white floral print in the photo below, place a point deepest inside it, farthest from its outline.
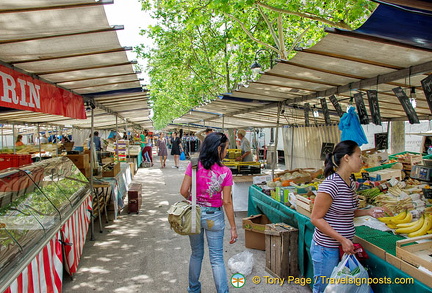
(210, 184)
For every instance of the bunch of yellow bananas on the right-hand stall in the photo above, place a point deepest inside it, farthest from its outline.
(403, 225)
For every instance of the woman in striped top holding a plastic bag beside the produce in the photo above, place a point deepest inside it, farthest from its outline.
(334, 210)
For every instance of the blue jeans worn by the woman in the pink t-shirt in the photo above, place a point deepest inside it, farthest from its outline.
(213, 224)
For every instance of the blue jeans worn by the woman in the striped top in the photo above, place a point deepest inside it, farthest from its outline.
(324, 261)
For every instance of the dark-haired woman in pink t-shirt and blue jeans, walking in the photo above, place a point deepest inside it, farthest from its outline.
(213, 190)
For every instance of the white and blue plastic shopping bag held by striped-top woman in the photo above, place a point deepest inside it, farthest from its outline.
(348, 276)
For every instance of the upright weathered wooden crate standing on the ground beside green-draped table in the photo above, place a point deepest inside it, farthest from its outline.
(281, 243)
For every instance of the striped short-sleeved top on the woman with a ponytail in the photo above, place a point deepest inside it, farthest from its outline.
(340, 215)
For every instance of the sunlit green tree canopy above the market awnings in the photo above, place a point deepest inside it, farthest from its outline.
(202, 49)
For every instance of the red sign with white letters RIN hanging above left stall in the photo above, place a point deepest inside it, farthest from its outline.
(20, 91)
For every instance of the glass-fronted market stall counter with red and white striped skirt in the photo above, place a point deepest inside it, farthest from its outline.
(40, 204)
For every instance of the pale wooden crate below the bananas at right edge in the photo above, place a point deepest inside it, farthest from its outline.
(419, 254)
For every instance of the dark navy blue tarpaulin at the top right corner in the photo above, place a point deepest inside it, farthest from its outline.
(401, 25)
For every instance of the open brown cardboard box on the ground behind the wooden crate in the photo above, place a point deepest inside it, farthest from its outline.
(254, 227)
